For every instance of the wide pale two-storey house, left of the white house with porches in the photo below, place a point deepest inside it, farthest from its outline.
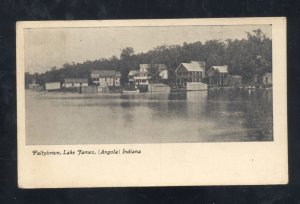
(106, 77)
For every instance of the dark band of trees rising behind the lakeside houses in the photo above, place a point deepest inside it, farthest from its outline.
(245, 57)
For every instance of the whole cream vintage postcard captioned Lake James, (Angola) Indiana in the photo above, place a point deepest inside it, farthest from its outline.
(178, 102)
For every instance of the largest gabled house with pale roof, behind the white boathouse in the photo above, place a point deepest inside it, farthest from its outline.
(190, 72)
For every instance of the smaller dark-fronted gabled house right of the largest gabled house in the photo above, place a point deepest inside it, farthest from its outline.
(217, 74)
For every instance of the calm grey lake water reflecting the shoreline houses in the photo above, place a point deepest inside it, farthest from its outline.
(210, 116)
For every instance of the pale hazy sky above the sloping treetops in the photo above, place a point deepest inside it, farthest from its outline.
(48, 47)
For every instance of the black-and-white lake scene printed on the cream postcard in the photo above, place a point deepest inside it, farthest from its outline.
(148, 84)
